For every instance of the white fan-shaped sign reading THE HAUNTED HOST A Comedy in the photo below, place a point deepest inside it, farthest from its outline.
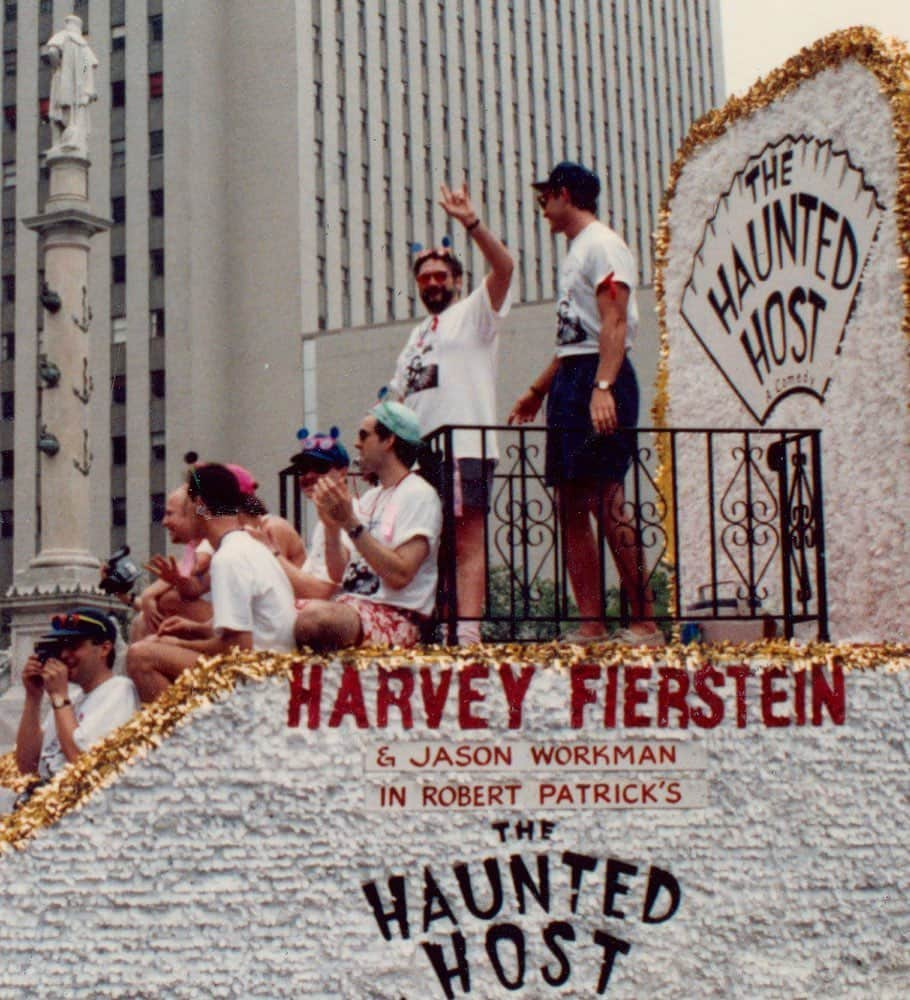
(775, 277)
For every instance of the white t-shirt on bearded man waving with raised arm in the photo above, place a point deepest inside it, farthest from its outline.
(447, 370)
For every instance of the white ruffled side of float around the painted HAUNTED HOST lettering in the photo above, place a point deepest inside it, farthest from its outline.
(229, 863)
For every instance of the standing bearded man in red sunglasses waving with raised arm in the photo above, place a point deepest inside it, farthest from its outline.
(447, 375)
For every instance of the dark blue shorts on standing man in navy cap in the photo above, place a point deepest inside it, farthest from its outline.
(575, 451)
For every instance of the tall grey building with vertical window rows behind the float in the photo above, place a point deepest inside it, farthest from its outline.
(267, 169)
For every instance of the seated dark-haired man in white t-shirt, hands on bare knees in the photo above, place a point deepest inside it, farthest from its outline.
(252, 600)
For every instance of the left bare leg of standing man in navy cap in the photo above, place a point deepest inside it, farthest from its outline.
(577, 503)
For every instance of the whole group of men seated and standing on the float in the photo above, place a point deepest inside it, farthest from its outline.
(246, 580)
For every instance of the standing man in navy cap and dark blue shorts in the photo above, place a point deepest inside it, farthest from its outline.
(592, 394)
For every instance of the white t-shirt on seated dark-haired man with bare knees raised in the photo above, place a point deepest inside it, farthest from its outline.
(250, 593)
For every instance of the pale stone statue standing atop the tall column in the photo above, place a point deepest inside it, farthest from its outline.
(72, 87)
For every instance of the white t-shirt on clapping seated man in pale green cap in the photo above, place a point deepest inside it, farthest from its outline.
(394, 516)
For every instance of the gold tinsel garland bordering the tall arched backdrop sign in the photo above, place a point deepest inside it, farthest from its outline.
(889, 61)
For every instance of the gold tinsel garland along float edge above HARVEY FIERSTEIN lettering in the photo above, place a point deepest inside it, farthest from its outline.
(214, 679)
